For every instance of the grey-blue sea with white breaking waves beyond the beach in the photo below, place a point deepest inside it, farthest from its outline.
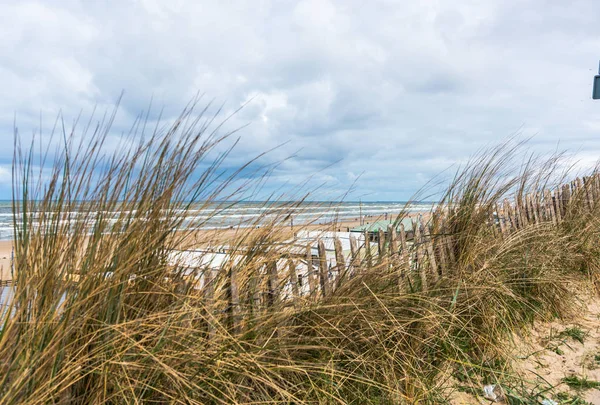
(244, 213)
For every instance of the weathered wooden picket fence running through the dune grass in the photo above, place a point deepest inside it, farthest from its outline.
(420, 257)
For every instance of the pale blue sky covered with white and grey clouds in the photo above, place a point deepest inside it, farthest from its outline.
(374, 97)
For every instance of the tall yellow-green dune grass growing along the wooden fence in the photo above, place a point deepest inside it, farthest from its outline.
(101, 314)
